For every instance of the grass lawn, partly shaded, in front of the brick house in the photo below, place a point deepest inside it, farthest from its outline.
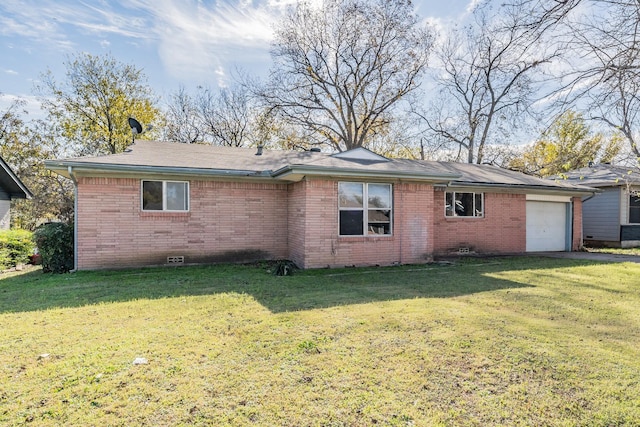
(496, 342)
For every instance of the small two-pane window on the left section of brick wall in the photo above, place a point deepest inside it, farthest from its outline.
(165, 196)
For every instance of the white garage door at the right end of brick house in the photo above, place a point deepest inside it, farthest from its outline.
(546, 226)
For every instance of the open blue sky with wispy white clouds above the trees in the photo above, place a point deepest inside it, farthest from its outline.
(175, 43)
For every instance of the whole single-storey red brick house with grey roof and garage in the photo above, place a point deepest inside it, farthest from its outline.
(160, 203)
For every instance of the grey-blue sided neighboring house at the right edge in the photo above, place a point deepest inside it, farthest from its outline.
(612, 216)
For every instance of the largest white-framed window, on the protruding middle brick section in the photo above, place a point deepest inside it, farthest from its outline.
(365, 209)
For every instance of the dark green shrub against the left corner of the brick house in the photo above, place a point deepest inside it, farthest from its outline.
(55, 243)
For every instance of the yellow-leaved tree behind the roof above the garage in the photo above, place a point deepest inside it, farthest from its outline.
(567, 145)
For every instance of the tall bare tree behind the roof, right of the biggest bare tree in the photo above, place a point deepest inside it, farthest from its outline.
(487, 81)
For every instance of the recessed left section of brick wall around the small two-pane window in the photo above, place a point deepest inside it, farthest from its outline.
(227, 221)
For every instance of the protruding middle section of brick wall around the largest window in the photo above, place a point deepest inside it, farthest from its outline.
(323, 247)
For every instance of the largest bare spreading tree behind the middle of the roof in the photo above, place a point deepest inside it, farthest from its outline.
(340, 69)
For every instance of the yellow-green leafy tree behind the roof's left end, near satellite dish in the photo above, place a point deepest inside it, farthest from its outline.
(93, 104)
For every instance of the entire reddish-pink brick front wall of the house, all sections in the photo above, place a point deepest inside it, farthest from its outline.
(234, 221)
